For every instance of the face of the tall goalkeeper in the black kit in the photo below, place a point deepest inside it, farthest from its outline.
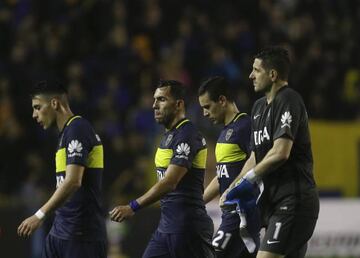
(260, 77)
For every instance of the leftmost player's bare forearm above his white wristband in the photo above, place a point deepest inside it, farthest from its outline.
(62, 193)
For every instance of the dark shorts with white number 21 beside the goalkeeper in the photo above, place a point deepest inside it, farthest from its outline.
(231, 243)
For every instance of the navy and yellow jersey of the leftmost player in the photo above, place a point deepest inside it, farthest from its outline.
(82, 215)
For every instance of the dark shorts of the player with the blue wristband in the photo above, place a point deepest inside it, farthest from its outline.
(182, 245)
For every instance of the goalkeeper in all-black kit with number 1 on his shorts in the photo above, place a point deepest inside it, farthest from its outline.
(281, 157)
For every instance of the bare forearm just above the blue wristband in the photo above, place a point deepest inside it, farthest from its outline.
(155, 193)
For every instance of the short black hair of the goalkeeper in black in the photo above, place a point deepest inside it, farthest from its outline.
(276, 57)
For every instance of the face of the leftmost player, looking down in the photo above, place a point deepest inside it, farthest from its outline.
(43, 112)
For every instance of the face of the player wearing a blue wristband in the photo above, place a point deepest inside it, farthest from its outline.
(164, 106)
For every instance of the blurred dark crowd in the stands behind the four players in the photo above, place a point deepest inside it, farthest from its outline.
(111, 53)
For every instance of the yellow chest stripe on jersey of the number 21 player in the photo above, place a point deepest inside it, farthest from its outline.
(229, 152)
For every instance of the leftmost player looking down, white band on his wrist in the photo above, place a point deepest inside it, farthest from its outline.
(79, 227)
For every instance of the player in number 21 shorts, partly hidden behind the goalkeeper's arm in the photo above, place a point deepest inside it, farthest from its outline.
(232, 150)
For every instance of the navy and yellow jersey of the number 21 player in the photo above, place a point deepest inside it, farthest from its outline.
(231, 152)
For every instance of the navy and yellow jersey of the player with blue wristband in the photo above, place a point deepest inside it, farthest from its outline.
(183, 209)
